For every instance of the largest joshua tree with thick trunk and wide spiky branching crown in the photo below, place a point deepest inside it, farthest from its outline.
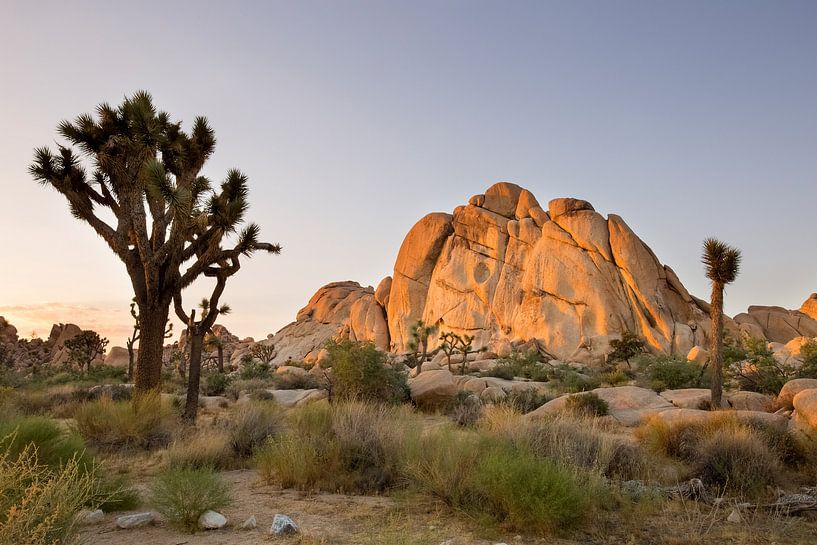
(133, 175)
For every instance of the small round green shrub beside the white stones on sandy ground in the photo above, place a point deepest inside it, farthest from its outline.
(183, 495)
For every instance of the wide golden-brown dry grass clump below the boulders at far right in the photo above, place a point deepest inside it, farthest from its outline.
(735, 455)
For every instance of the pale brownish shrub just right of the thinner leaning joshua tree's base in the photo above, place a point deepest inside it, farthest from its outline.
(252, 424)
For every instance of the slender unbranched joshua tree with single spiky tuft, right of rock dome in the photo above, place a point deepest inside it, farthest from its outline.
(722, 263)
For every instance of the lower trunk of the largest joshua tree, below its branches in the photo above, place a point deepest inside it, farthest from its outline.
(148, 372)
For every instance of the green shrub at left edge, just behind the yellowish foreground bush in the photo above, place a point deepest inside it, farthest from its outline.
(53, 446)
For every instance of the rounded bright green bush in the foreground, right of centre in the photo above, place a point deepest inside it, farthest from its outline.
(525, 492)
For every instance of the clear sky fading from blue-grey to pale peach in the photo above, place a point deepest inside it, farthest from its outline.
(353, 119)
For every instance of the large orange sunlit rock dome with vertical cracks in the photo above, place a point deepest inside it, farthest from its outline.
(503, 268)
